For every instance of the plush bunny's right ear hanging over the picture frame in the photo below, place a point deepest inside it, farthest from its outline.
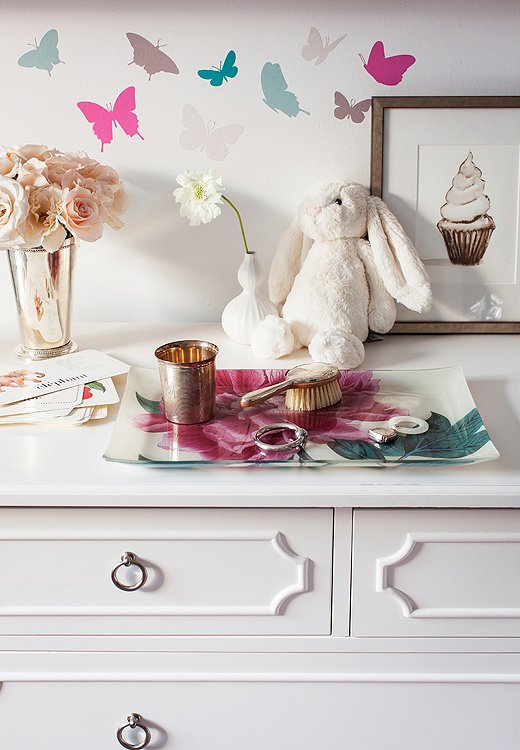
(399, 266)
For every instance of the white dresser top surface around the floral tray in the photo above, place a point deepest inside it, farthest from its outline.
(64, 465)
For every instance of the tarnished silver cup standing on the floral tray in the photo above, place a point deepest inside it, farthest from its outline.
(187, 370)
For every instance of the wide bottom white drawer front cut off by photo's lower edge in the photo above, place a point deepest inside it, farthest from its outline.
(226, 716)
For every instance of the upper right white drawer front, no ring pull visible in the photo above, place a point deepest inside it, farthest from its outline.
(436, 573)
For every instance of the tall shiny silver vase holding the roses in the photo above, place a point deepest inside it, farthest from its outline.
(42, 284)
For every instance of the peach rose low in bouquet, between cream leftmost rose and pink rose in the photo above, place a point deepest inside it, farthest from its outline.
(42, 226)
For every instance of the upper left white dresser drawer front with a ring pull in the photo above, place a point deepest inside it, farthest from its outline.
(207, 571)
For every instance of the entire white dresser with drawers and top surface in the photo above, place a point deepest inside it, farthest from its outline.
(295, 609)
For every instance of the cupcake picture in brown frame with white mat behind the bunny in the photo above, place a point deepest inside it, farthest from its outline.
(449, 168)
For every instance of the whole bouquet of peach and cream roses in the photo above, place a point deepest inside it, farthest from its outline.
(47, 195)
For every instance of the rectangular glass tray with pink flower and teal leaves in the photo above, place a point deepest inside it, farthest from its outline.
(336, 435)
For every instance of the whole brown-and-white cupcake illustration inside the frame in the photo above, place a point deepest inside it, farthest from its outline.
(465, 224)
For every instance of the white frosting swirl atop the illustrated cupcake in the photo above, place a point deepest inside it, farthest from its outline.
(465, 200)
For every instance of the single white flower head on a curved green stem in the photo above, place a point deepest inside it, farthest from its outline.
(199, 195)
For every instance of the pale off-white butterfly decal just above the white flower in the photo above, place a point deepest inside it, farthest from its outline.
(199, 135)
